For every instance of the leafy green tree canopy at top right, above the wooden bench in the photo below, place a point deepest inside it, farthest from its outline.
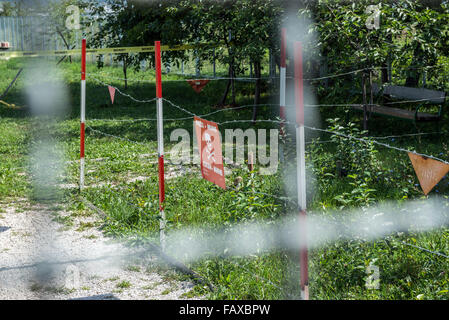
(409, 34)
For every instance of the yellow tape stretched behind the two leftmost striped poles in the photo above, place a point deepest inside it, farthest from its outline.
(19, 54)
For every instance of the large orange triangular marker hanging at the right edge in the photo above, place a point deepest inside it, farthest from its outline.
(429, 171)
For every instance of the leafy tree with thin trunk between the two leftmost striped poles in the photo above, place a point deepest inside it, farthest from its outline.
(138, 23)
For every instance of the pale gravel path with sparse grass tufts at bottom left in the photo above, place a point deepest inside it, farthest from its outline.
(49, 253)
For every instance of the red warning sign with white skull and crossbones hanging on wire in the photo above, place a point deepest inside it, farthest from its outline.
(209, 146)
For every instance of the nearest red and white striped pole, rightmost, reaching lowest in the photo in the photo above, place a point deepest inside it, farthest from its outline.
(301, 170)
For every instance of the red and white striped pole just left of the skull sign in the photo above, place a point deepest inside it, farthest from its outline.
(160, 141)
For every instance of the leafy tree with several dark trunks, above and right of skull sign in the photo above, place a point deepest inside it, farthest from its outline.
(246, 28)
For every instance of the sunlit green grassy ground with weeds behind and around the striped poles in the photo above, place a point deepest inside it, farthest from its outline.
(122, 181)
